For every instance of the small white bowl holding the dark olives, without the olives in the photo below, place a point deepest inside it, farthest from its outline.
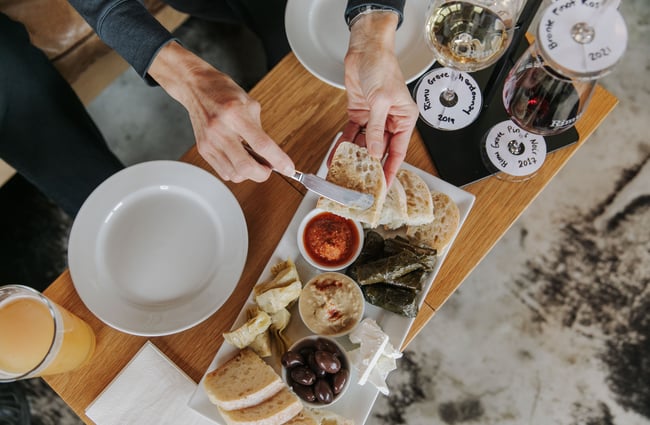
(311, 341)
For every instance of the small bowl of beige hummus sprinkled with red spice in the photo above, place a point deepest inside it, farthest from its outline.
(331, 304)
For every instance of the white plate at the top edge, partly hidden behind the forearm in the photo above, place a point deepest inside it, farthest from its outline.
(319, 36)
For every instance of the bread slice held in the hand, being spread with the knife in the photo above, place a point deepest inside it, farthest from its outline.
(354, 168)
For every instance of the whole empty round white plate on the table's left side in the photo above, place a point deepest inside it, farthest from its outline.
(157, 248)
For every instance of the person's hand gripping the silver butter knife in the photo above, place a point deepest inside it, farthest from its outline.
(222, 114)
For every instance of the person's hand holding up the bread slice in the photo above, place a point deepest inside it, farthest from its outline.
(381, 111)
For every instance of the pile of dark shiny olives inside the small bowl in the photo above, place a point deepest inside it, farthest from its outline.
(316, 371)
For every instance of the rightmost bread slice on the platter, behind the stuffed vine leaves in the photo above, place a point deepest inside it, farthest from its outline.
(442, 229)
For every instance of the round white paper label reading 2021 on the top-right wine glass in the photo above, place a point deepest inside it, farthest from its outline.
(586, 37)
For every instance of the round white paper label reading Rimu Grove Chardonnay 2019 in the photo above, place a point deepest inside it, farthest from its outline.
(455, 114)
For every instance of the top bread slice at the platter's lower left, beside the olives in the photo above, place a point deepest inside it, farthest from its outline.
(243, 381)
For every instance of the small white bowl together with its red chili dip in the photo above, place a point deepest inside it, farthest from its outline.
(328, 241)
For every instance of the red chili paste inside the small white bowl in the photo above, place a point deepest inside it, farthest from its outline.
(330, 240)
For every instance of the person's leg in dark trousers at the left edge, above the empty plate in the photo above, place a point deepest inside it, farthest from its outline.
(46, 133)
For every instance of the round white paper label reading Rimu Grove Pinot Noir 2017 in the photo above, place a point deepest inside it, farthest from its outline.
(513, 150)
